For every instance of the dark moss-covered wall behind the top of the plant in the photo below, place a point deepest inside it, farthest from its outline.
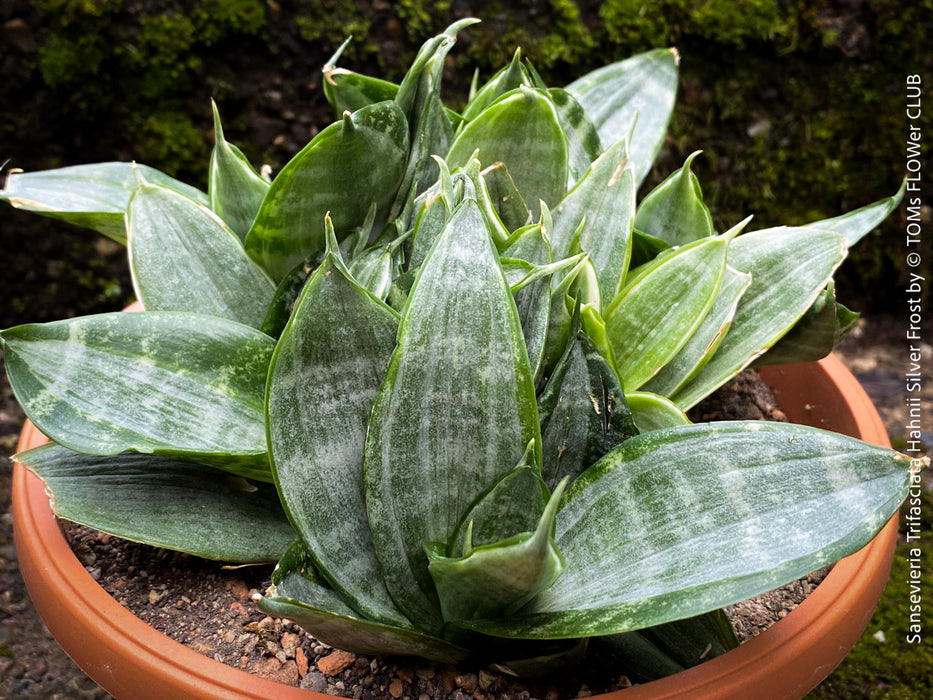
(799, 107)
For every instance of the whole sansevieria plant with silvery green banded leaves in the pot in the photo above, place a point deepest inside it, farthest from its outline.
(438, 369)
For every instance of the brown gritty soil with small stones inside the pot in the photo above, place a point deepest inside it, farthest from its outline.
(210, 609)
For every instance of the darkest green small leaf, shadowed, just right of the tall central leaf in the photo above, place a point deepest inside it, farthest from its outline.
(583, 413)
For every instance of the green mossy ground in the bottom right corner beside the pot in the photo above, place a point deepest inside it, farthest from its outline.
(892, 669)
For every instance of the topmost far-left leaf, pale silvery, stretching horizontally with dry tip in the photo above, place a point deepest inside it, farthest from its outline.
(94, 196)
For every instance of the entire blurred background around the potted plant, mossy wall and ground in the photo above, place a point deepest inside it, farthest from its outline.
(798, 107)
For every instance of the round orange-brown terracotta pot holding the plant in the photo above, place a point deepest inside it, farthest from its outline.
(132, 660)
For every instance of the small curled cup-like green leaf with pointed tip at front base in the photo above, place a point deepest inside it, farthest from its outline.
(499, 578)
